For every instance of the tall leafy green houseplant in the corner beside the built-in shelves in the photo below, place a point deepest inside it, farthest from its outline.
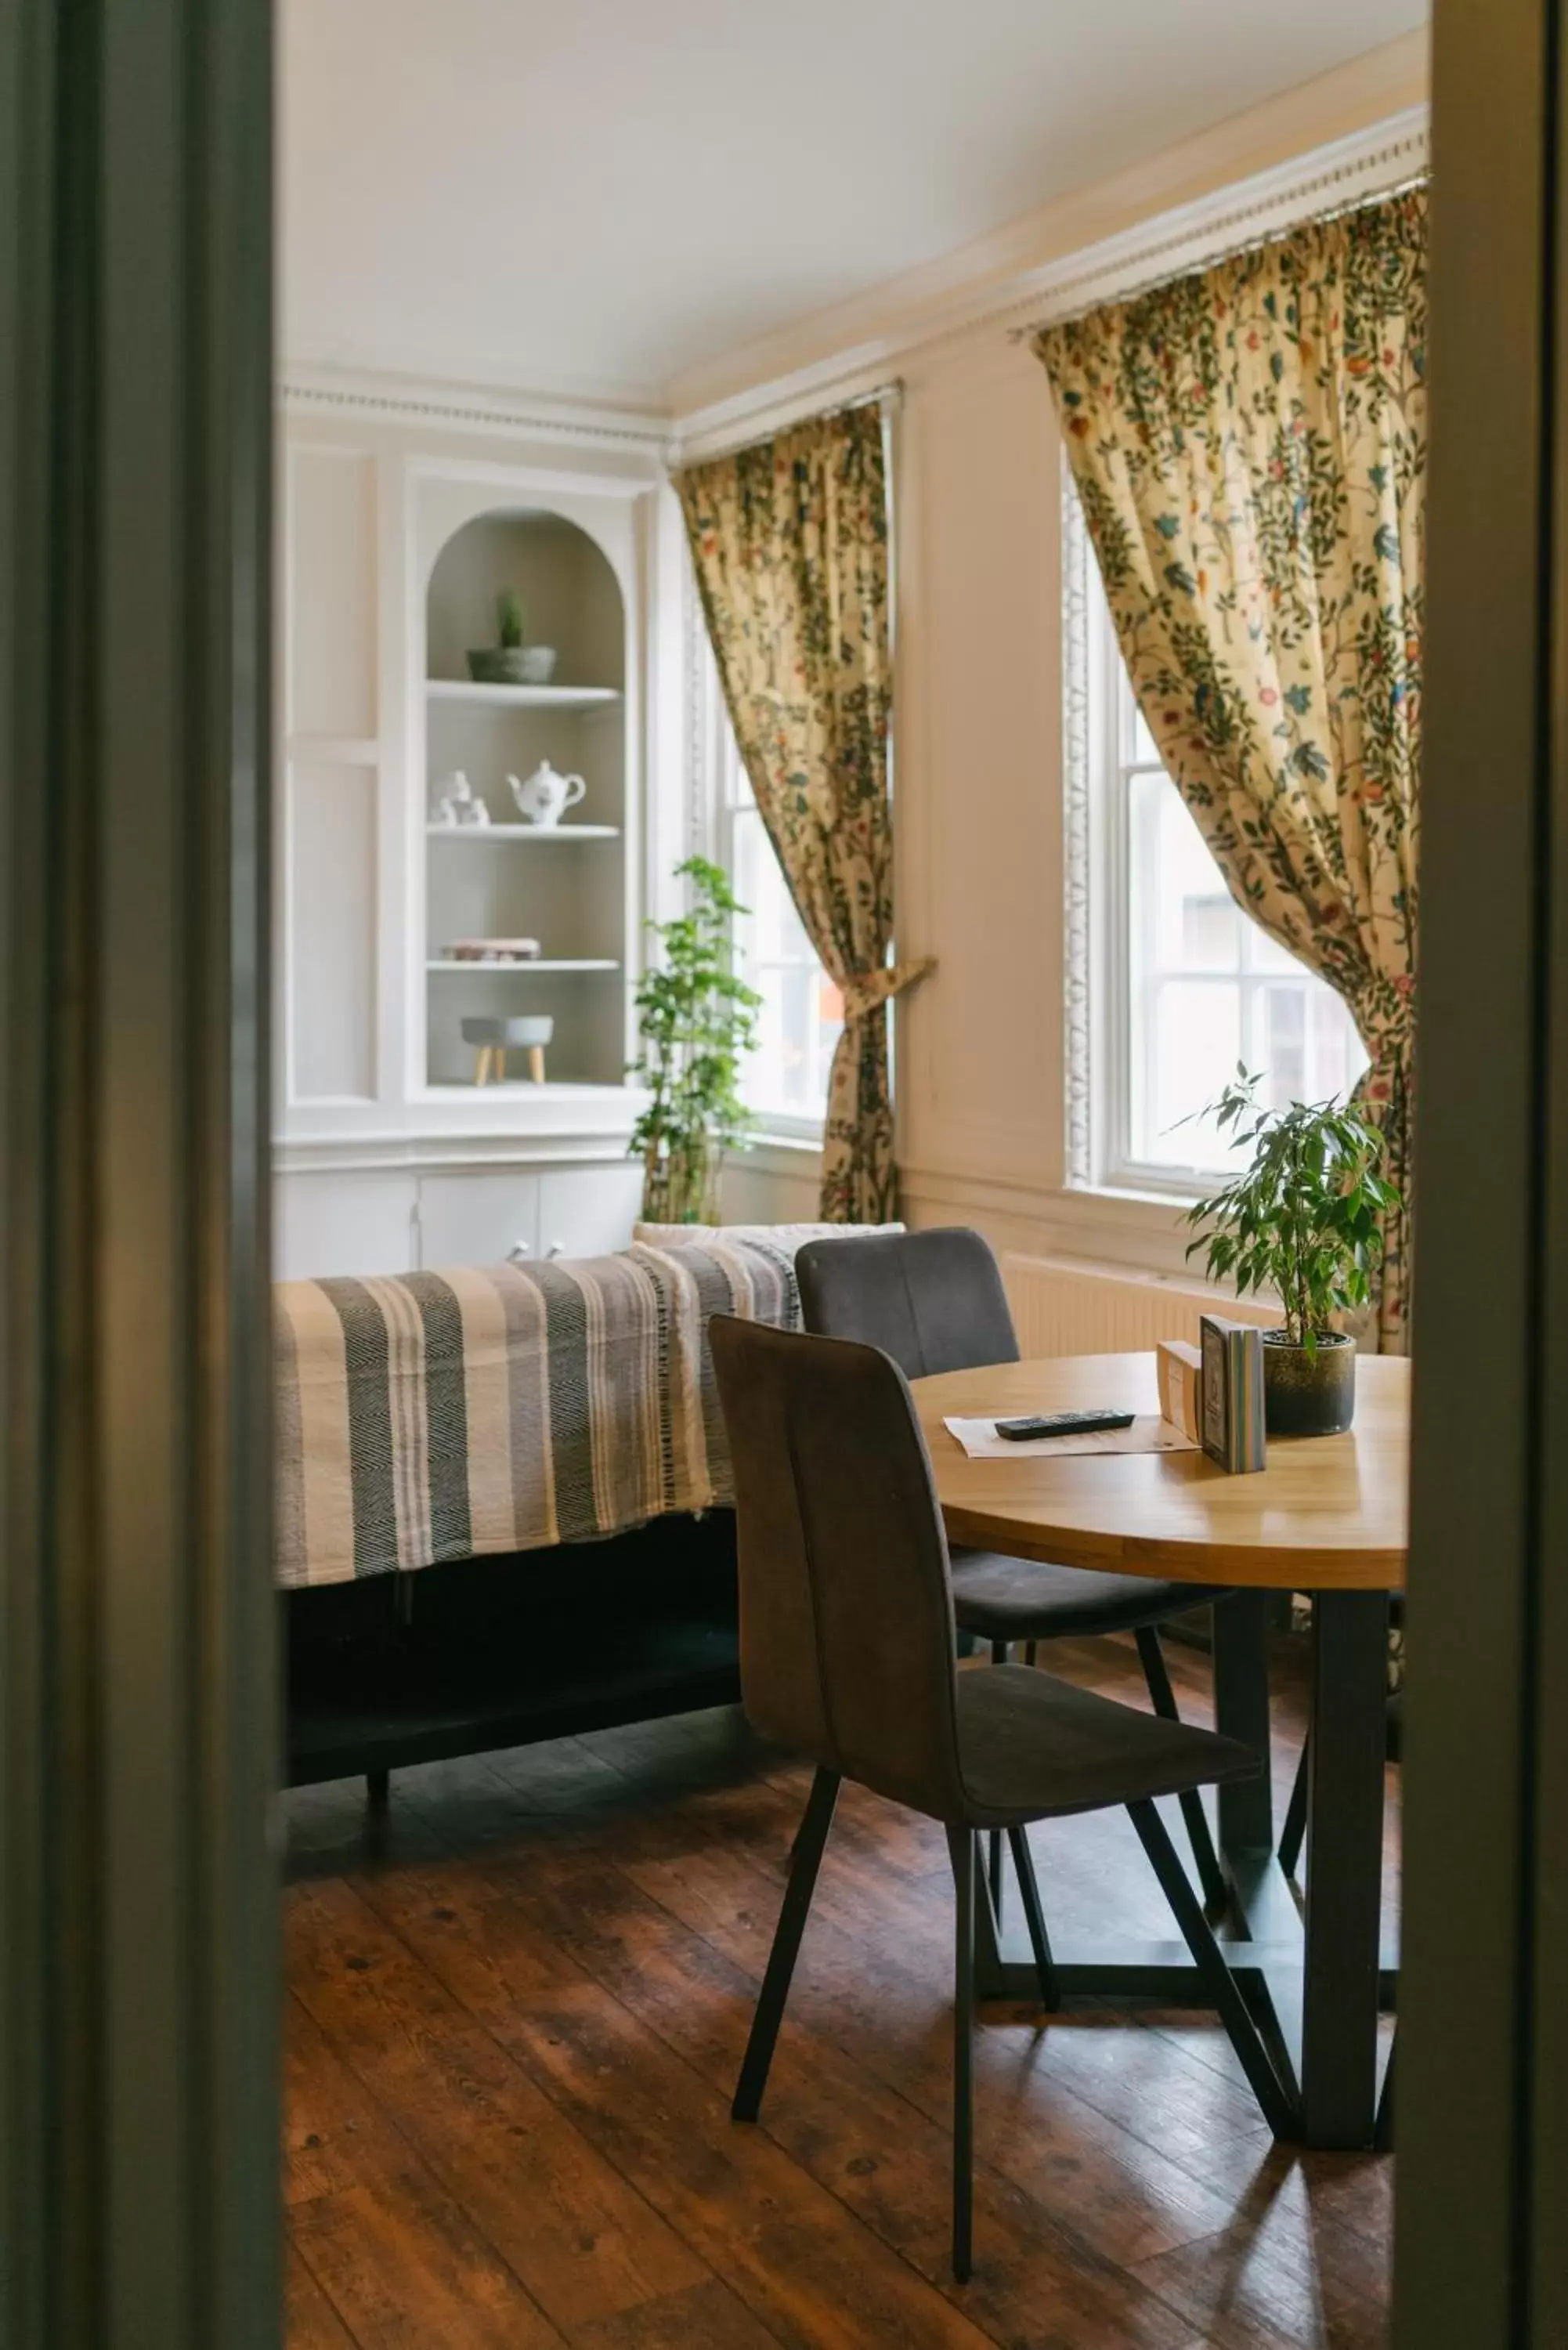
(697, 1023)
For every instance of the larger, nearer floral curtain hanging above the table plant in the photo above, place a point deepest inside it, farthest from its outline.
(1252, 457)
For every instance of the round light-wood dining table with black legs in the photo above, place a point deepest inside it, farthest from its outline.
(1325, 1517)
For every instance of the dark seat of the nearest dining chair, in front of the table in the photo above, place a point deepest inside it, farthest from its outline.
(1036, 1747)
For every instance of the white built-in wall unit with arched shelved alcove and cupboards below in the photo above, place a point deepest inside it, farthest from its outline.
(401, 528)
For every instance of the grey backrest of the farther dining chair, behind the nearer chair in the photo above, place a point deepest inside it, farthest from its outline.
(932, 1301)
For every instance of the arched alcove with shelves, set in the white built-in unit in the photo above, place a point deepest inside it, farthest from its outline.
(561, 885)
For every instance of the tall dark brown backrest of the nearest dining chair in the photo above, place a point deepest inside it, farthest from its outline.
(847, 1646)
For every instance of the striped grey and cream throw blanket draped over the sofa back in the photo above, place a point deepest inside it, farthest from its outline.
(507, 1406)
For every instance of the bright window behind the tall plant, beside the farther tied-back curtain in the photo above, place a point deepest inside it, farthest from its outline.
(798, 1028)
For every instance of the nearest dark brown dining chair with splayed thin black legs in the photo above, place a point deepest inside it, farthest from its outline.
(850, 1658)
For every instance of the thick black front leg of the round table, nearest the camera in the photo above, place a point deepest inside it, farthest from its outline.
(1346, 1867)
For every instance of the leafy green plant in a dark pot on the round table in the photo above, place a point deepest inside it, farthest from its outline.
(1304, 1223)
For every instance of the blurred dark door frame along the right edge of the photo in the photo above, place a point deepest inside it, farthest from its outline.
(1482, 2245)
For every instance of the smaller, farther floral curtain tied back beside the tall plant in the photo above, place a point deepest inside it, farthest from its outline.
(791, 553)
